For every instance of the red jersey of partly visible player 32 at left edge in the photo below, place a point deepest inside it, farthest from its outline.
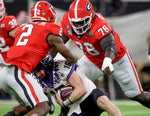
(7, 24)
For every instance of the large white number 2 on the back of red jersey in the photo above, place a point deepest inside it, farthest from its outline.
(25, 34)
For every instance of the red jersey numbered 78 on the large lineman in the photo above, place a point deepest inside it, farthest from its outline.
(89, 42)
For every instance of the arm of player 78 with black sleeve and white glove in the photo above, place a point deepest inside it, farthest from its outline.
(109, 47)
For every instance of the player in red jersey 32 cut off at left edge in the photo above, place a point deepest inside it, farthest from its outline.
(8, 26)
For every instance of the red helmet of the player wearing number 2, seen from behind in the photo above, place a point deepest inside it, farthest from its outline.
(43, 10)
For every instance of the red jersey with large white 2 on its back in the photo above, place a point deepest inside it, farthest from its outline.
(31, 45)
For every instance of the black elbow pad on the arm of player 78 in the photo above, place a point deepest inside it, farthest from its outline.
(110, 45)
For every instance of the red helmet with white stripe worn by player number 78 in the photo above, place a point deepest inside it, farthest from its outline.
(80, 15)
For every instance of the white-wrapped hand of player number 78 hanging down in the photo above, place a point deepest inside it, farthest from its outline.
(107, 66)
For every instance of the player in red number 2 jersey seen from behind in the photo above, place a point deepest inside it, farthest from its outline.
(33, 41)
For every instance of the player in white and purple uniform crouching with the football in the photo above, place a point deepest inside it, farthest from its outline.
(84, 100)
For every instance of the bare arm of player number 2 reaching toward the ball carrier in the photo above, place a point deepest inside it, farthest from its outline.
(57, 42)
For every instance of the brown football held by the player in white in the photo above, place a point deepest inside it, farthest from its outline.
(65, 92)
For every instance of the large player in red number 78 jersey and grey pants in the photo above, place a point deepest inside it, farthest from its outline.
(104, 53)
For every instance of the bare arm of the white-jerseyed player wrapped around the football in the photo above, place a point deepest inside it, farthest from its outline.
(78, 92)
